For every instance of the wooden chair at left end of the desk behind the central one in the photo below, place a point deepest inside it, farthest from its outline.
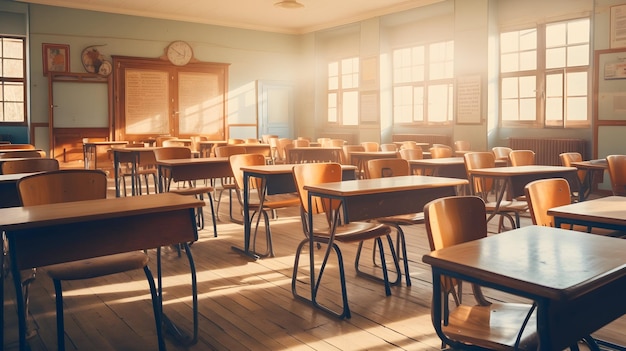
(270, 203)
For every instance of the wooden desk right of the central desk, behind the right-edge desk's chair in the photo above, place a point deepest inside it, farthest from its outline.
(511, 180)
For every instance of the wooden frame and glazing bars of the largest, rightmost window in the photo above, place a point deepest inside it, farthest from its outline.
(541, 74)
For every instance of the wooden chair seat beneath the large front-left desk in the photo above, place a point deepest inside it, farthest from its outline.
(96, 267)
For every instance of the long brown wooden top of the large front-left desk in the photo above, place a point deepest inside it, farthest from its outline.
(18, 218)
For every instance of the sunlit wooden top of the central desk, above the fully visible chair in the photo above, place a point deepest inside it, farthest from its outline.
(382, 185)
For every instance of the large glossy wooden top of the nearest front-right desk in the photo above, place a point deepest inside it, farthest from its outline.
(543, 261)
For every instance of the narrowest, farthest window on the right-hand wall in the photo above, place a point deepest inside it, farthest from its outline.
(343, 93)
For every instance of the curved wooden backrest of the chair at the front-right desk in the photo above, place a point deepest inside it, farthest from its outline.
(455, 220)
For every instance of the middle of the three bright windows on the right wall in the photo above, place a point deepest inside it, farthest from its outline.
(423, 84)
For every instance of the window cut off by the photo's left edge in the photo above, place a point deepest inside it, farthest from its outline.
(12, 80)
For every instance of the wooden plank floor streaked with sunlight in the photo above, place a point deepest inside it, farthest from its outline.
(243, 304)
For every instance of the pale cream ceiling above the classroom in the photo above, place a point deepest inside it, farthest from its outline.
(249, 14)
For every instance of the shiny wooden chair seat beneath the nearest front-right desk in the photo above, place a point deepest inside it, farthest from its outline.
(494, 326)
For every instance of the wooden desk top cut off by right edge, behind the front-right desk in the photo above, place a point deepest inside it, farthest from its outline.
(610, 209)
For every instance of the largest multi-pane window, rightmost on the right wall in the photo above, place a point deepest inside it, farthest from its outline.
(544, 75)
